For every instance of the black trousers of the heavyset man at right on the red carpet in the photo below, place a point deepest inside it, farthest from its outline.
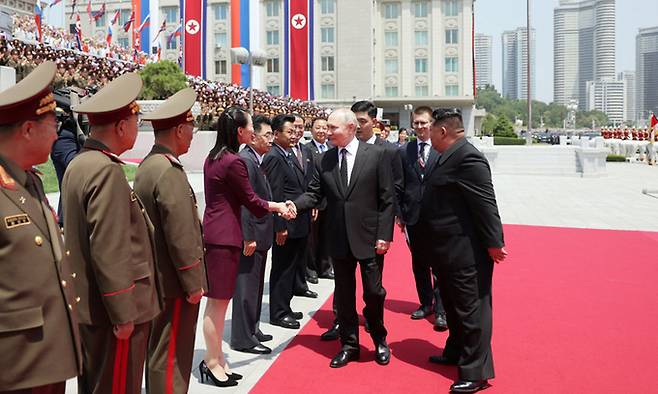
(466, 296)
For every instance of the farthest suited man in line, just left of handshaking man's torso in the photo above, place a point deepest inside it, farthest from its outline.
(319, 262)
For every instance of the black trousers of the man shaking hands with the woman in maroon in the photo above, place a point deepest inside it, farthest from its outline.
(345, 300)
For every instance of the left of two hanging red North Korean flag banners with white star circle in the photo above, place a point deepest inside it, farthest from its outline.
(194, 43)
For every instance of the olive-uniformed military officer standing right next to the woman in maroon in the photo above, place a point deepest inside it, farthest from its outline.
(169, 200)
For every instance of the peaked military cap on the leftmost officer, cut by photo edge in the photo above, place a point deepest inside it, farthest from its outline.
(30, 97)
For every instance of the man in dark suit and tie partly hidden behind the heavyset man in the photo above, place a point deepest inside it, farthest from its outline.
(419, 158)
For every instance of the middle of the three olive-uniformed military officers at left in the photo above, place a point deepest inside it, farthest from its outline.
(109, 235)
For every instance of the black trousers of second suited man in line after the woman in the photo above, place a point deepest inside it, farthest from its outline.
(286, 262)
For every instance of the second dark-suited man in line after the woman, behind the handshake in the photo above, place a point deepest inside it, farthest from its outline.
(289, 251)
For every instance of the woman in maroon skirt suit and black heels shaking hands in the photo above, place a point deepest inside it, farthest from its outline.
(227, 188)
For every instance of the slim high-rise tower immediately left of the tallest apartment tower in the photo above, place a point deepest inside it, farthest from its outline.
(515, 63)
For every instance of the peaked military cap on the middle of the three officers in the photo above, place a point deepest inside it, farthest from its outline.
(114, 102)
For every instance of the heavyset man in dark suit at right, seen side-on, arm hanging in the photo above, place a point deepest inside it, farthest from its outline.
(460, 232)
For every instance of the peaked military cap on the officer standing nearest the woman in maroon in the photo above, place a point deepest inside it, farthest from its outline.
(173, 112)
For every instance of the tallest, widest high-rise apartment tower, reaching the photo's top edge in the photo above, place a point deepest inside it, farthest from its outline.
(584, 47)
